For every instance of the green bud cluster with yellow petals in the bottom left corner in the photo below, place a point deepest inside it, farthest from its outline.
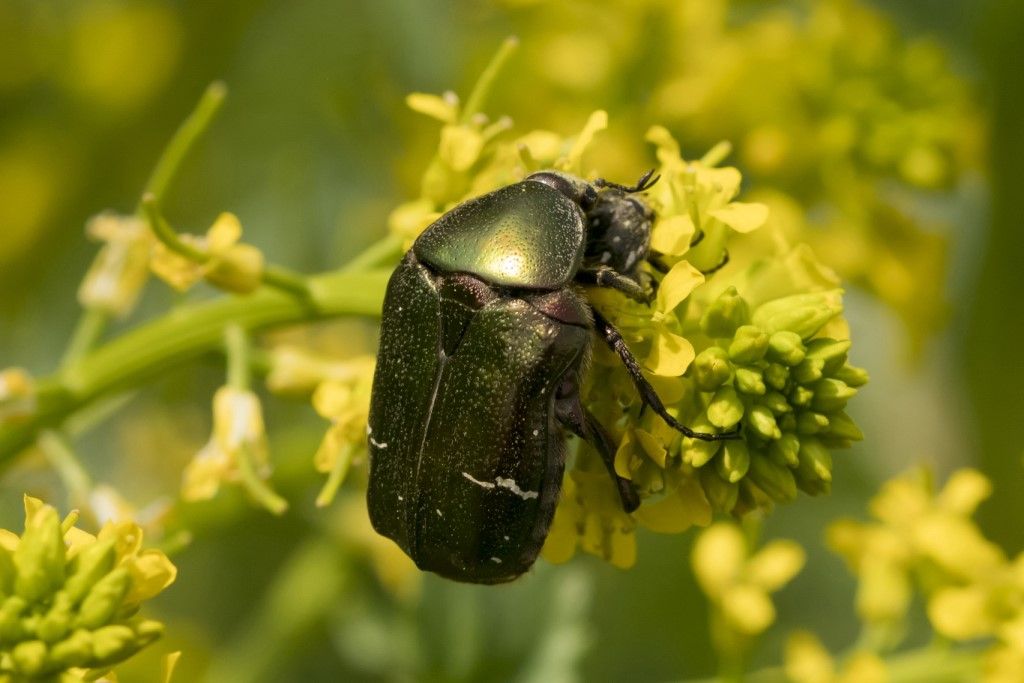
(69, 600)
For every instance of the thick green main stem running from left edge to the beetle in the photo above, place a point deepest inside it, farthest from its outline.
(182, 335)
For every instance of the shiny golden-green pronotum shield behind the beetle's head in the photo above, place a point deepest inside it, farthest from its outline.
(528, 236)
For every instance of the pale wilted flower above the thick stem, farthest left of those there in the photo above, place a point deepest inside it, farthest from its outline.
(122, 267)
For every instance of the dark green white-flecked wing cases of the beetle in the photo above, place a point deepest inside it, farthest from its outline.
(467, 459)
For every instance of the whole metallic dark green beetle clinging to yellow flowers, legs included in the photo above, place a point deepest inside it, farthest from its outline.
(485, 341)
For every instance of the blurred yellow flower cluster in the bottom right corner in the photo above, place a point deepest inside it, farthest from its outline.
(924, 541)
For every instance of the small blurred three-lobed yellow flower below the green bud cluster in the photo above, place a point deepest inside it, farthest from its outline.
(740, 585)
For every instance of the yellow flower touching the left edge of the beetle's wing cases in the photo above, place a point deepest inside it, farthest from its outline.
(346, 402)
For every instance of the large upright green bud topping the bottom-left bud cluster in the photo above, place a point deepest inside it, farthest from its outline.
(40, 557)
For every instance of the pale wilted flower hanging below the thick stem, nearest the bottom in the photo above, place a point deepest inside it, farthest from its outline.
(237, 453)
